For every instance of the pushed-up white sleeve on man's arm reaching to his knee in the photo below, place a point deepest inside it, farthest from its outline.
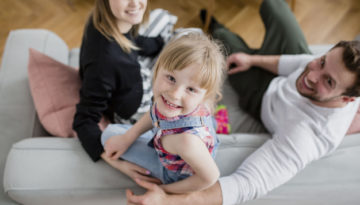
(290, 63)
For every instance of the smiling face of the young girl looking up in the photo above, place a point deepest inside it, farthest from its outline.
(179, 92)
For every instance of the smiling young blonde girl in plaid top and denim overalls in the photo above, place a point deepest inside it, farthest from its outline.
(186, 85)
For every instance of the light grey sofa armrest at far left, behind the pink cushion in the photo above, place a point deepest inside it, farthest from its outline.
(18, 119)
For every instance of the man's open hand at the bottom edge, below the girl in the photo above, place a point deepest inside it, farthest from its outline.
(154, 195)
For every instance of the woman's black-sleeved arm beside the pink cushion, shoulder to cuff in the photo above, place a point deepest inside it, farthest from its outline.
(98, 83)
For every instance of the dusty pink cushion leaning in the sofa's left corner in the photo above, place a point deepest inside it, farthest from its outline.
(55, 90)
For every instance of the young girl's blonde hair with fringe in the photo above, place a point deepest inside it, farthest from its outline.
(196, 48)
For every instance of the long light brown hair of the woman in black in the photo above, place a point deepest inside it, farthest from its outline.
(105, 22)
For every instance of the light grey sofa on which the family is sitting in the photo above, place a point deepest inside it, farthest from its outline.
(48, 170)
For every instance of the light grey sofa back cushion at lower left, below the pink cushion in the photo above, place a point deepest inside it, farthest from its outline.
(50, 170)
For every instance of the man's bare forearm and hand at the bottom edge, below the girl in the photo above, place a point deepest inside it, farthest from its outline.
(156, 196)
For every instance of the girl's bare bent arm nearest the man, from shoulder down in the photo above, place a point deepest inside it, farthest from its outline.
(194, 152)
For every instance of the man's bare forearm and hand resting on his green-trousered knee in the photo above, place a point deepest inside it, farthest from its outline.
(239, 62)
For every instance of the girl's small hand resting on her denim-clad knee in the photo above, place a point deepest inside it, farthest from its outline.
(117, 145)
